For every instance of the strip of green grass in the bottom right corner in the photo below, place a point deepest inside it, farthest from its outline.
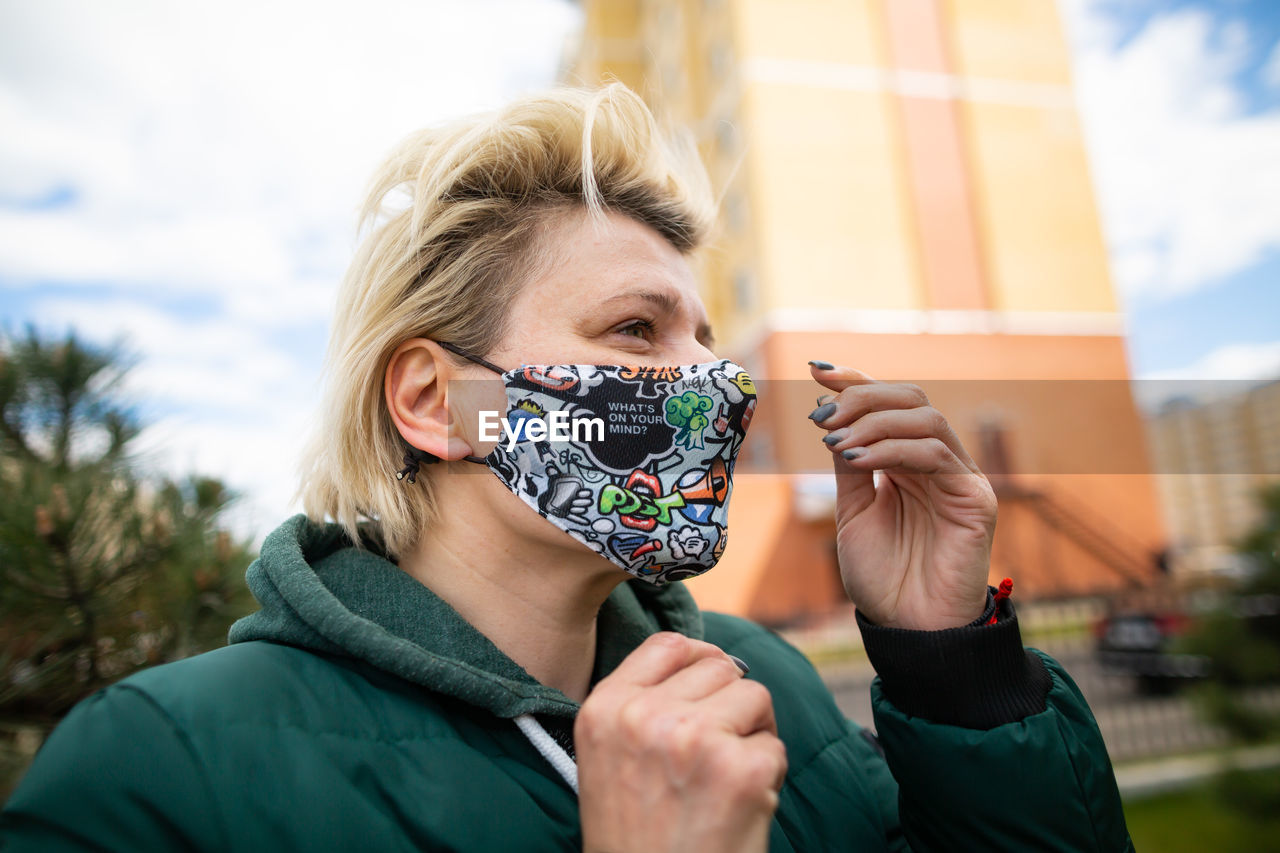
(1197, 819)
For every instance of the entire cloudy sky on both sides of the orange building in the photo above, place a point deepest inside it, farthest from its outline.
(186, 176)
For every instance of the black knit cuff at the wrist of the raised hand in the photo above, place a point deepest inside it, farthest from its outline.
(976, 677)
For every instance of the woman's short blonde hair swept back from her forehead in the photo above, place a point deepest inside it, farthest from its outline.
(483, 195)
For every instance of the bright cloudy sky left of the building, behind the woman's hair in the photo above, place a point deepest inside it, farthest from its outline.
(216, 154)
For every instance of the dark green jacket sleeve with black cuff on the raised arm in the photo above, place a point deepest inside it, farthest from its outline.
(993, 746)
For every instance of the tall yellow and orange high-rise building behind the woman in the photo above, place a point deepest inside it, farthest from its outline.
(904, 190)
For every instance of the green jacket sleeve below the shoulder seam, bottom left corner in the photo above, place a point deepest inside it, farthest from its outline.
(117, 774)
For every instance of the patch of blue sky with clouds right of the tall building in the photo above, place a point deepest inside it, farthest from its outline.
(1181, 103)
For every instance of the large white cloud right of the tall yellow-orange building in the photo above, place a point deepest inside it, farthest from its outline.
(1190, 185)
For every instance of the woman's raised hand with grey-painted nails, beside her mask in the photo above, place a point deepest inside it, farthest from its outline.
(915, 549)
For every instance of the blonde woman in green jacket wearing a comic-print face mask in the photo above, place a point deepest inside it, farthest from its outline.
(460, 674)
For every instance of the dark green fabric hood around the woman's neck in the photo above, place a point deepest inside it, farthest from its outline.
(321, 592)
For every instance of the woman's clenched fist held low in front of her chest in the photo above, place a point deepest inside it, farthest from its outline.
(676, 751)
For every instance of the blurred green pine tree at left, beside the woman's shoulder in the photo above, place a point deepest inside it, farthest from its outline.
(103, 569)
